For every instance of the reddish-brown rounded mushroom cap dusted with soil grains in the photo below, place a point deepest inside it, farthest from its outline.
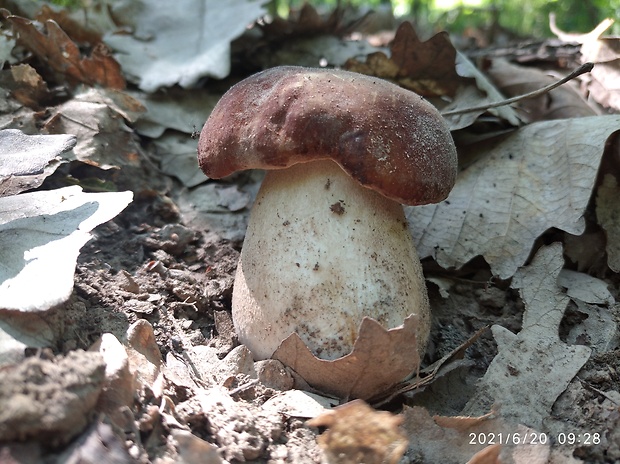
(387, 138)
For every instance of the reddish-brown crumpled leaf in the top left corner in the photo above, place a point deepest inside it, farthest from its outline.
(54, 47)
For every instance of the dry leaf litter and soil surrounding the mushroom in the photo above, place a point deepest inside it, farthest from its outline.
(148, 292)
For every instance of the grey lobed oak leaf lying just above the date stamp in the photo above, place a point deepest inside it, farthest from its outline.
(533, 367)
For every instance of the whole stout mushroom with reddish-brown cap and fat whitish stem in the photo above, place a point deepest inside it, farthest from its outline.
(327, 242)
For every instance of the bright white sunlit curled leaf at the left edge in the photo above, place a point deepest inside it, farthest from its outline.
(41, 234)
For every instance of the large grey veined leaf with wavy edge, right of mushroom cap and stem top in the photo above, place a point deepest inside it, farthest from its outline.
(539, 177)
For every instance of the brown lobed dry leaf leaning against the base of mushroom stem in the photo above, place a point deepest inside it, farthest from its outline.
(365, 367)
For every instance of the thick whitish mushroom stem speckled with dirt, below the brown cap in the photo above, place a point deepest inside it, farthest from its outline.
(320, 253)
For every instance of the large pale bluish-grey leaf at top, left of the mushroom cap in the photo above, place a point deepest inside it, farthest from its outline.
(170, 47)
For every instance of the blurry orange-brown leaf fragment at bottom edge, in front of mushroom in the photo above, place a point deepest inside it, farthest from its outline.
(357, 433)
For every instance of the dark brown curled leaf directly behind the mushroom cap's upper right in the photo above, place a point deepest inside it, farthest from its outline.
(427, 68)
